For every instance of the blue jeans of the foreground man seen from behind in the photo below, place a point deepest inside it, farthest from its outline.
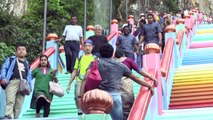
(117, 110)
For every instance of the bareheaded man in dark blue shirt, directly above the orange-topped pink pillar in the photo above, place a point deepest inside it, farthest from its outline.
(151, 32)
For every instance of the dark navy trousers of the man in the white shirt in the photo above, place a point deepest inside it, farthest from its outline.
(72, 49)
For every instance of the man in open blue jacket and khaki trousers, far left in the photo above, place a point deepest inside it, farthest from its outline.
(12, 73)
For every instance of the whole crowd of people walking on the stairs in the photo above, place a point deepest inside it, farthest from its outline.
(115, 65)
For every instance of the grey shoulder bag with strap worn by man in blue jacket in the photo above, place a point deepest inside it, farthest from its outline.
(24, 86)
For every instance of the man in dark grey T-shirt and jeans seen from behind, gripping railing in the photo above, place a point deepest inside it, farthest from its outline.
(111, 73)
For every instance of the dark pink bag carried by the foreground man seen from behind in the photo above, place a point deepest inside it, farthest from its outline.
(93, 79)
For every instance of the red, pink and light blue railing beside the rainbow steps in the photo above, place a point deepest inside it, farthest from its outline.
(147, 107)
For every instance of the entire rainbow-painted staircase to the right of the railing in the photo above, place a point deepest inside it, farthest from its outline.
(192, 91)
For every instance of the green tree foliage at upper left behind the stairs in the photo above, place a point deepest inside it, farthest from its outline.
(28, 29)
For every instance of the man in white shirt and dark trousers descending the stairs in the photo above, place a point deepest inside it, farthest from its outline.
(73, 36)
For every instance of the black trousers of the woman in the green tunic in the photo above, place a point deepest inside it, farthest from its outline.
(41, 102)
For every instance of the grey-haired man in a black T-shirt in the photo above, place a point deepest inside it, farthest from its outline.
(98, 40)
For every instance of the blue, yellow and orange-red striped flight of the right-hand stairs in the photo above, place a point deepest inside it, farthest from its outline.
(193, 82)
